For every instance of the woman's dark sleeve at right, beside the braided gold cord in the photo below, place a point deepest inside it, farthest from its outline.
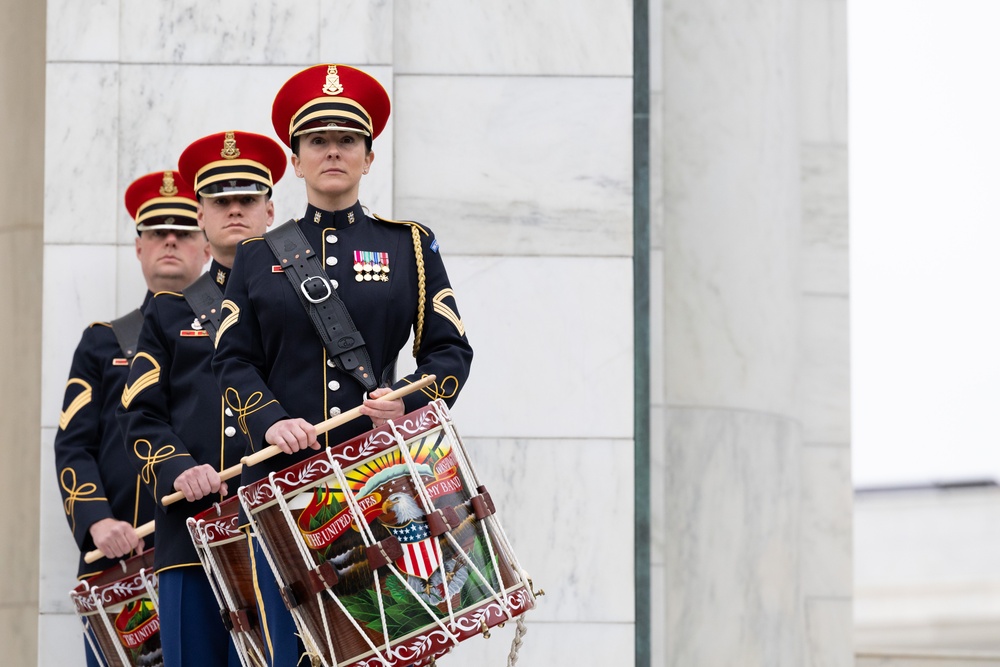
(443, 349)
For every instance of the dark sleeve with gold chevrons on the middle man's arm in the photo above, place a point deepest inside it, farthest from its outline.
(151, 444)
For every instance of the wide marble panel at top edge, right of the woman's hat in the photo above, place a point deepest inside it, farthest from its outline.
(558, 37)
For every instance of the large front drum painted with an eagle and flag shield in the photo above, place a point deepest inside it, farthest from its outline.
(386, 547)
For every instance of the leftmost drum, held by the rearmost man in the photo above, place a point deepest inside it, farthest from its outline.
(120, 607)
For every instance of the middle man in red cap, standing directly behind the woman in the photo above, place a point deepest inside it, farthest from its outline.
(176, 429)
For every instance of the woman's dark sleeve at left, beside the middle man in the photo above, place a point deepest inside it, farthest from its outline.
(238, 363)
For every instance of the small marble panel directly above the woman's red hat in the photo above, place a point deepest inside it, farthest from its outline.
(357, 32)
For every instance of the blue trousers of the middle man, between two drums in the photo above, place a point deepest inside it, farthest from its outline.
(191, 629)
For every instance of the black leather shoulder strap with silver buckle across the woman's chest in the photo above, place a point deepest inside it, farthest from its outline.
(303, 268)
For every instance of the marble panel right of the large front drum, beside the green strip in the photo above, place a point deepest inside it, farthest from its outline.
(567, 507)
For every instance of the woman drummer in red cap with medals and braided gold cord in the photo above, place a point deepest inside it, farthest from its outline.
(272, 363)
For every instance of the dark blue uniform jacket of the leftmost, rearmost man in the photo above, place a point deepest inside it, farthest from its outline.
(95, 480)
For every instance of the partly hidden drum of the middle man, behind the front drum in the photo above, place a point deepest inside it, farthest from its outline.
(225, 554)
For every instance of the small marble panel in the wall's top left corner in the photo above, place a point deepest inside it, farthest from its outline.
(82, 30)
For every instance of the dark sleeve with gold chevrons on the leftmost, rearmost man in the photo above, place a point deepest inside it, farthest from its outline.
(78, 440)
